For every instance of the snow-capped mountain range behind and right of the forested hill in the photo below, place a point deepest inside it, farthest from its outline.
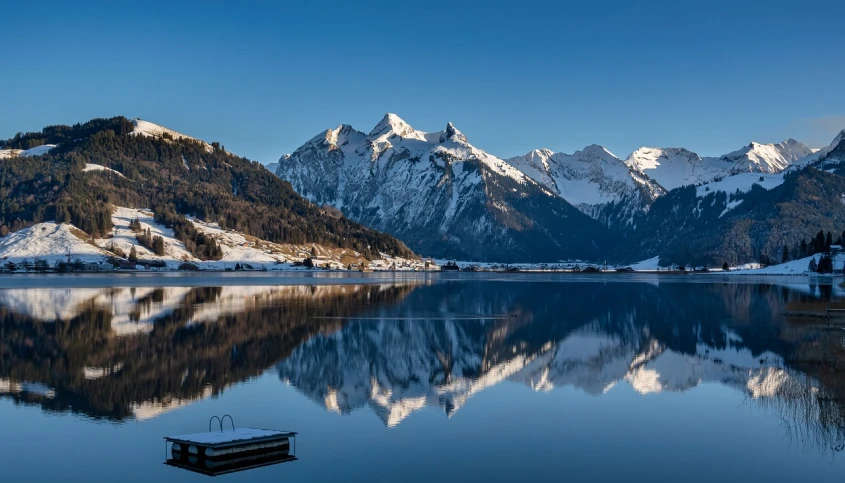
(445, 197)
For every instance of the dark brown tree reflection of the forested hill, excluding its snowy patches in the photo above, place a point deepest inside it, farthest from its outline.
(175, 360)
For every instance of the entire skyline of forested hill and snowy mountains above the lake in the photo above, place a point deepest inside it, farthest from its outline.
(395, 191)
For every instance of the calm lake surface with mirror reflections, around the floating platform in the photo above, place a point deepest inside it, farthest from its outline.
(426, 377)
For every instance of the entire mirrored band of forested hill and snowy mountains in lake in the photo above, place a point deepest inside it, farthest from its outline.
(134, 353)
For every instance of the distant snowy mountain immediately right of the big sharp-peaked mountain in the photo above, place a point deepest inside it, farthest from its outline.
(593, 180)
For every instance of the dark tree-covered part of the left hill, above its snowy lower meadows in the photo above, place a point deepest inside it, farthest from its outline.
(174, 175)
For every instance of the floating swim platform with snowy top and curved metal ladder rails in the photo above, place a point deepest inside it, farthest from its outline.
(220, 452)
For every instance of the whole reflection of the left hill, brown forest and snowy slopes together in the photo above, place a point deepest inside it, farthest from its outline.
(136, 352)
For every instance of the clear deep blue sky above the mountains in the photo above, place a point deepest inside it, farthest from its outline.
(263, 78)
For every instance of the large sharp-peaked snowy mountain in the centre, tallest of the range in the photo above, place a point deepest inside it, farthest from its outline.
(439, 193)
